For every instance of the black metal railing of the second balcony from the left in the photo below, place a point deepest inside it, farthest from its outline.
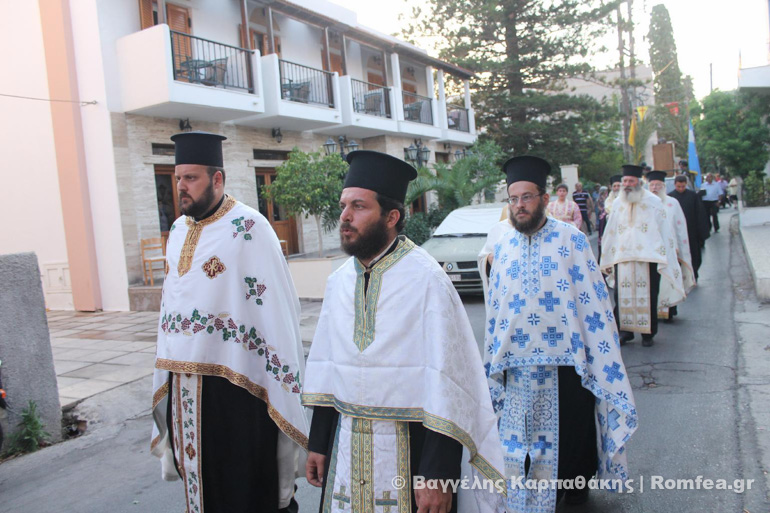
(305, 84)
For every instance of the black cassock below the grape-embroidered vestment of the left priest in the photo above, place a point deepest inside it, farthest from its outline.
(239, 450)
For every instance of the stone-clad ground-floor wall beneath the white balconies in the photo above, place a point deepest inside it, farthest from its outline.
(133, 136)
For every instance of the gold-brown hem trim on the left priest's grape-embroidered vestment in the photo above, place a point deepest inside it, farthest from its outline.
(213, 369)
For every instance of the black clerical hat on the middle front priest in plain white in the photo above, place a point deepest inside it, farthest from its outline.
(379, 172)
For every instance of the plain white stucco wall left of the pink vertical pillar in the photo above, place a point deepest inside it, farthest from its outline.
(30, 213)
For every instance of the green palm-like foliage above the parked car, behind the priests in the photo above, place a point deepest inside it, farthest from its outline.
(457, 184)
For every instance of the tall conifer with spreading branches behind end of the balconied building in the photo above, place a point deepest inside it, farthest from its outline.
(521, 52)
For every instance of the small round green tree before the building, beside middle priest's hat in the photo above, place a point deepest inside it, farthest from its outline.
(309, 184)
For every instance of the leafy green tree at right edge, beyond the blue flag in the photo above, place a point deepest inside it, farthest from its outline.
(731, 133)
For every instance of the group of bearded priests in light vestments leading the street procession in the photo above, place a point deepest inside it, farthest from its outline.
(406, 414)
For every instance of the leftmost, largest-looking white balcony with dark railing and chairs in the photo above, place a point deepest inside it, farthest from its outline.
(173, 75)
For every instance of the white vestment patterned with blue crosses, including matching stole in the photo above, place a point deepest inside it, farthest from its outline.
(548, 306)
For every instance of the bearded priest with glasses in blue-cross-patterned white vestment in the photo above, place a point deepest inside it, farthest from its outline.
(552, 354)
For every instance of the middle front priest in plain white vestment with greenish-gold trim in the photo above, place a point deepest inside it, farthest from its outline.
(394, 374)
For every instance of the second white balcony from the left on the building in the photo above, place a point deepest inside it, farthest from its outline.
(297, 97)
